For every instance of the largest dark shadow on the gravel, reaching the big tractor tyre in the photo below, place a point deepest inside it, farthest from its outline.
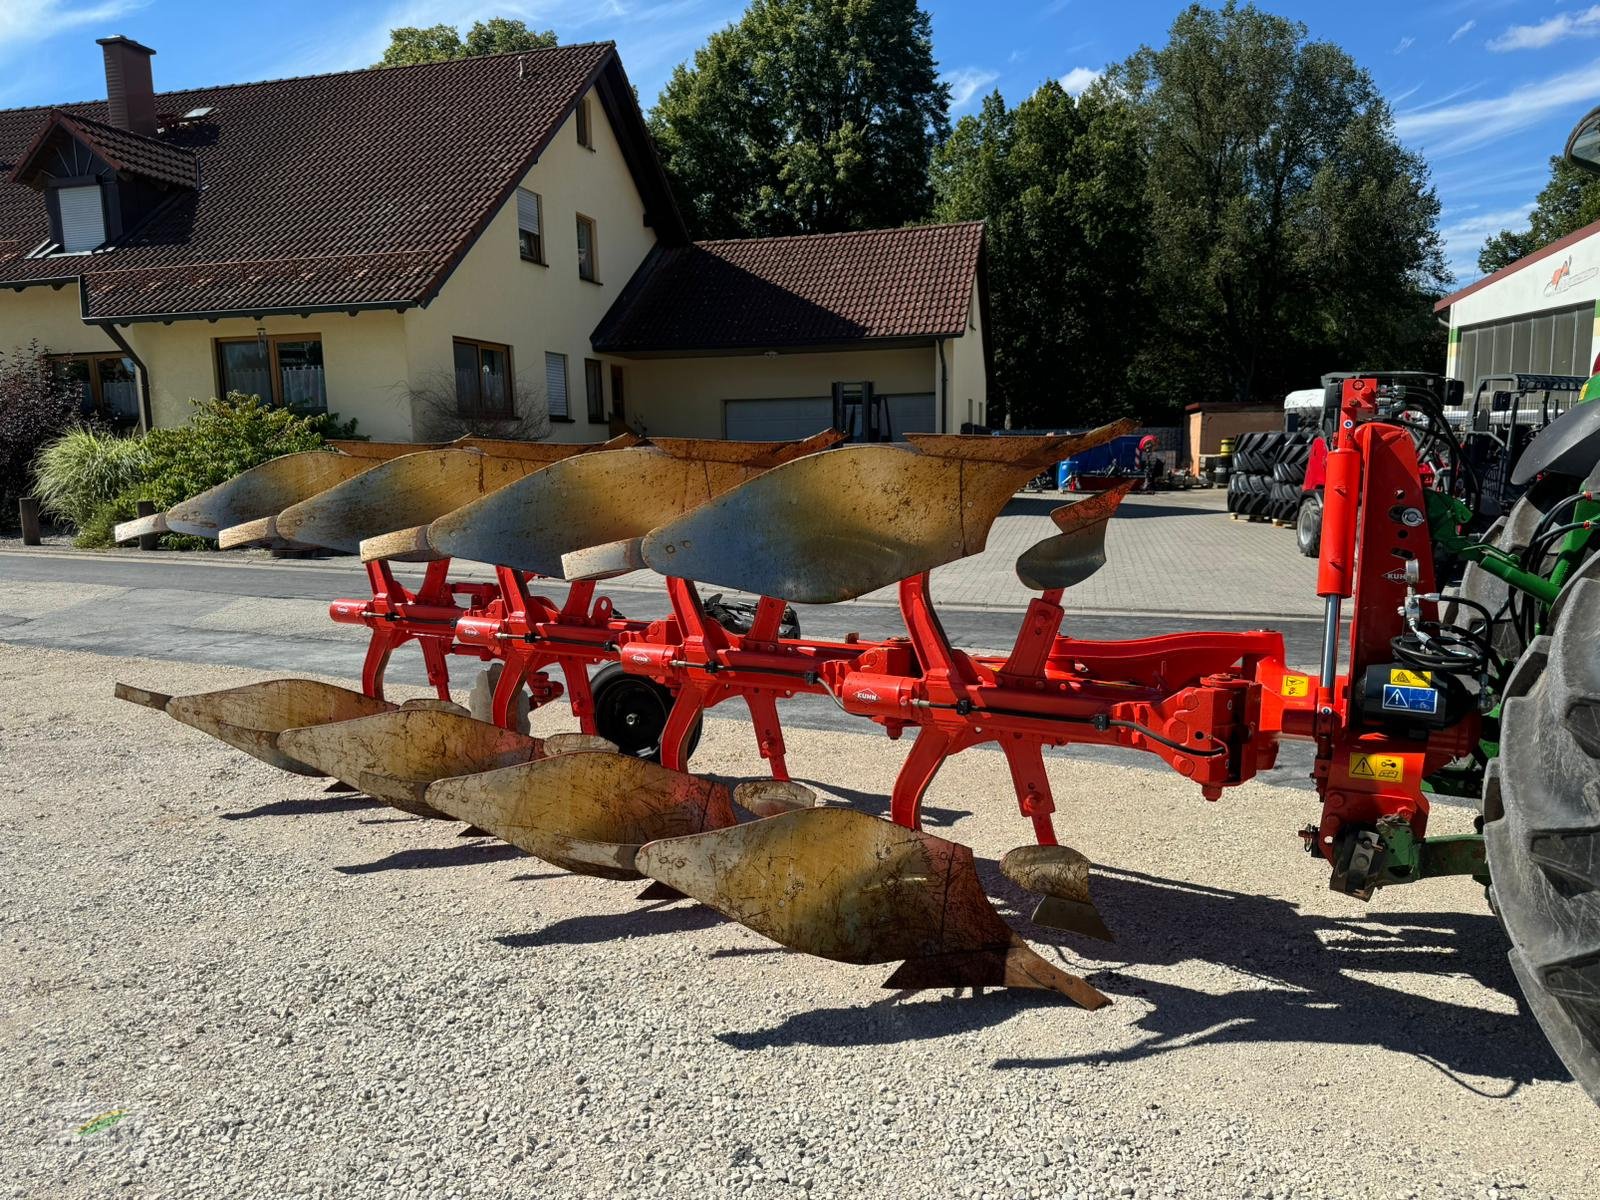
(1310, 978)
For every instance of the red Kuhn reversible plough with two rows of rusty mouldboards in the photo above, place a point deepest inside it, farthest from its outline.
(815, 522)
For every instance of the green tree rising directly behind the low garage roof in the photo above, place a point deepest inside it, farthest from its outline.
(806, 116)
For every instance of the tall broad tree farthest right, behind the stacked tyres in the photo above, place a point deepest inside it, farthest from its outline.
(1290, 233)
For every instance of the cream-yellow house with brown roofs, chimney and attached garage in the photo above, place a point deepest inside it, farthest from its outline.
(470, 242)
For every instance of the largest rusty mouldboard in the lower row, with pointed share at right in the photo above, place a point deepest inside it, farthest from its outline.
(850, 887)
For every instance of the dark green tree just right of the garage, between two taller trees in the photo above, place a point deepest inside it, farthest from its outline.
(1062, 186)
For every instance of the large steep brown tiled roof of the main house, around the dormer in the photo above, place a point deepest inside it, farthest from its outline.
(330, 191)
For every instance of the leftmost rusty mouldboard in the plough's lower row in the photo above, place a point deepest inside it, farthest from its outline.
(252, 718)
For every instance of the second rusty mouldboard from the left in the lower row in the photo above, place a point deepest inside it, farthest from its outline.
(394, 758)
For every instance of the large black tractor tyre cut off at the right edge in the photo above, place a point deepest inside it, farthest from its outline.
(1542, 809)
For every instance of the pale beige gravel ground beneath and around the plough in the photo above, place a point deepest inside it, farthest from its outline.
(265, 991)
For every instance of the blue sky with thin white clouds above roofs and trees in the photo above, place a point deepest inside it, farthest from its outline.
(1484, 89)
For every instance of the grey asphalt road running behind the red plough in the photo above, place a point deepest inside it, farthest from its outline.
(177, 607)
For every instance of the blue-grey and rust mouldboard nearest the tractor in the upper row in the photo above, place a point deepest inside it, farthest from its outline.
(838, 526)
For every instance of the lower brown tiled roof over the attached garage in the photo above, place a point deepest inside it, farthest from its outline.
(777, 292)
